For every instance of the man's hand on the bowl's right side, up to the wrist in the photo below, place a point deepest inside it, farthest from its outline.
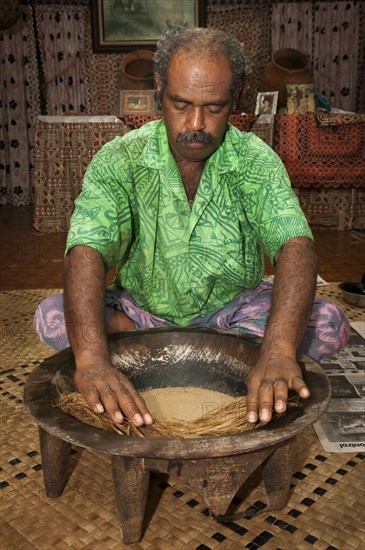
(268, 384)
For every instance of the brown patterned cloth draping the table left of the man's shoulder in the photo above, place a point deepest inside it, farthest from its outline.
(64, 146)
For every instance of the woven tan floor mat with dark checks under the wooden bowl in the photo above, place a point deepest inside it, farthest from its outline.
(325, 509)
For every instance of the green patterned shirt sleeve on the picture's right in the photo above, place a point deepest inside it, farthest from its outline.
(275, 213)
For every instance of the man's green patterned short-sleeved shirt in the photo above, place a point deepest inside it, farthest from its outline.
(179, 262)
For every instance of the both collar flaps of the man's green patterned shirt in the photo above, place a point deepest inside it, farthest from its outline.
(157, 152)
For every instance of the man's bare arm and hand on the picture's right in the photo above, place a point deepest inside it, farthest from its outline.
(277, 370)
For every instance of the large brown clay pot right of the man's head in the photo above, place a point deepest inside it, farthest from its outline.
(287, 66)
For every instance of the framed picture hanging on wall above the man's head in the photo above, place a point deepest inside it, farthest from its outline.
(125, 25)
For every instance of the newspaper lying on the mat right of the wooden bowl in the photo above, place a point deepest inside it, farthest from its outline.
(342, 427)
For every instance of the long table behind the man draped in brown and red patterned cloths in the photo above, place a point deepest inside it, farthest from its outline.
(326, 163)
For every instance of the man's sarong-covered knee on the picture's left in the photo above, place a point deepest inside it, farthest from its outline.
(49, 322)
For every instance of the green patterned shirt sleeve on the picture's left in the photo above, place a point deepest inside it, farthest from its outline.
(101, 218)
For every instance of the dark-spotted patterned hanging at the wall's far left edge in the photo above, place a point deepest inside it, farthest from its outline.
(20, 105)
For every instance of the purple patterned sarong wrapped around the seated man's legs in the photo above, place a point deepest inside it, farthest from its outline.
(327, 331)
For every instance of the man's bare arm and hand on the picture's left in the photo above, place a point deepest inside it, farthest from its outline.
(102, 386)
